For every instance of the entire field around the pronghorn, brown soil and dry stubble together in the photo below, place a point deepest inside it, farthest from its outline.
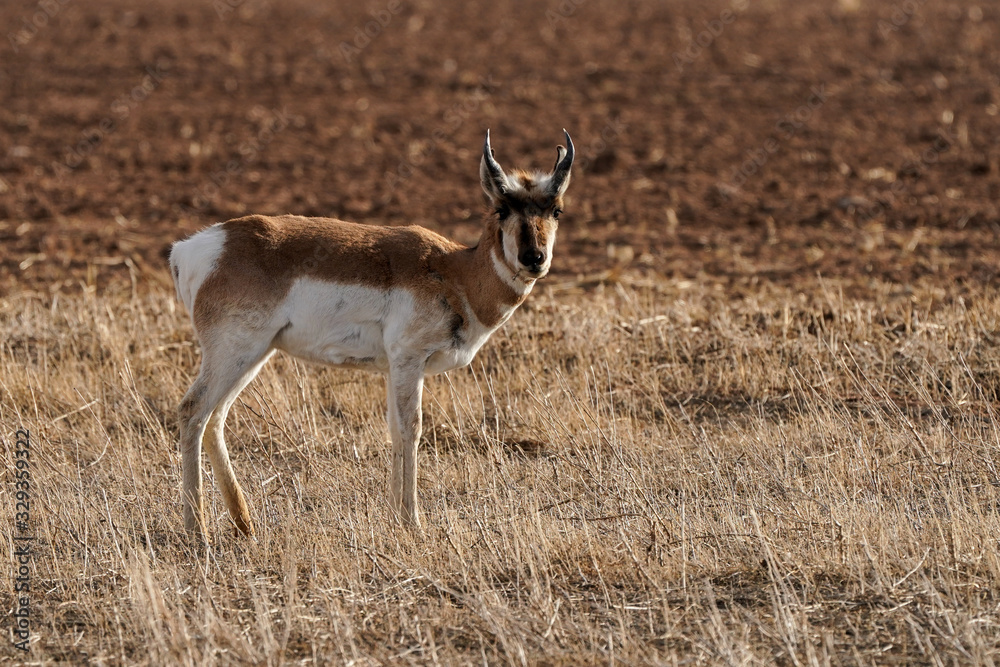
(749, 419)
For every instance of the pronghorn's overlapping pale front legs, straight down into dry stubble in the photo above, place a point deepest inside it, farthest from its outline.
(406, 383)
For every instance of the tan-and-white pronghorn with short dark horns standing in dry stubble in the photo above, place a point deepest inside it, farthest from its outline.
(397, 300)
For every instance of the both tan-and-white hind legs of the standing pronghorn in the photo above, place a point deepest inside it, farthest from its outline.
(226, 368)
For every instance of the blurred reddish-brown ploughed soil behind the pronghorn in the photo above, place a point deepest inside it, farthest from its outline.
(724, 141)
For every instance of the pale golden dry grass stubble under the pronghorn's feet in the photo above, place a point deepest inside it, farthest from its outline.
(639, 472)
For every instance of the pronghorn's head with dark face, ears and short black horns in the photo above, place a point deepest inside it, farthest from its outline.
(527, 206)
